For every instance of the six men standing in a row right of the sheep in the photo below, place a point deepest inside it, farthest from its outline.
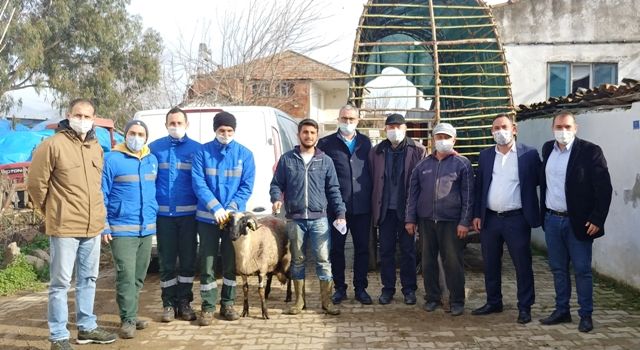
(402, 192)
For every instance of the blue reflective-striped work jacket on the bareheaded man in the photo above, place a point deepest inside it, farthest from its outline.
(174, 192)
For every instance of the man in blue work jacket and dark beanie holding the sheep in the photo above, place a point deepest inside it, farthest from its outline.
(223, 173)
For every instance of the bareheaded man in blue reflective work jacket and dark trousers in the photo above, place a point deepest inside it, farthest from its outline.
(177, 240)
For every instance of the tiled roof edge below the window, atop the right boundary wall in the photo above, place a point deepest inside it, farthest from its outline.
(605, 96)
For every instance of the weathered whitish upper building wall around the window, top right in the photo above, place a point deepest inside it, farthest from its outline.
(534, 33)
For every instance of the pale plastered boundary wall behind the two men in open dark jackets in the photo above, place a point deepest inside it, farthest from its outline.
(617, 254)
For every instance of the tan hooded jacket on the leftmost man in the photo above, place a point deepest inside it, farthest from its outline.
(64, 183)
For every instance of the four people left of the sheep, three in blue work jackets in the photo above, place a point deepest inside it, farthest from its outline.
(175, 188)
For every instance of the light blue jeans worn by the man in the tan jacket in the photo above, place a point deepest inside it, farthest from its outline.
(84, 254)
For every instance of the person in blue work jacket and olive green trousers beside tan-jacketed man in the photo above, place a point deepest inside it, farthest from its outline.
(129, 188)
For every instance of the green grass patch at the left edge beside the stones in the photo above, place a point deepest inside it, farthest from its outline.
(18, 276)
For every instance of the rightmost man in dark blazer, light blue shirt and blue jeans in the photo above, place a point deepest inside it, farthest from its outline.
(575, 197)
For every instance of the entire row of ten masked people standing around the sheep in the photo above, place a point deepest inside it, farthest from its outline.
(179, 189)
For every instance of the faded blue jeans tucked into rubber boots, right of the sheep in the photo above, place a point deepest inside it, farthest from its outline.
(317, 233)
